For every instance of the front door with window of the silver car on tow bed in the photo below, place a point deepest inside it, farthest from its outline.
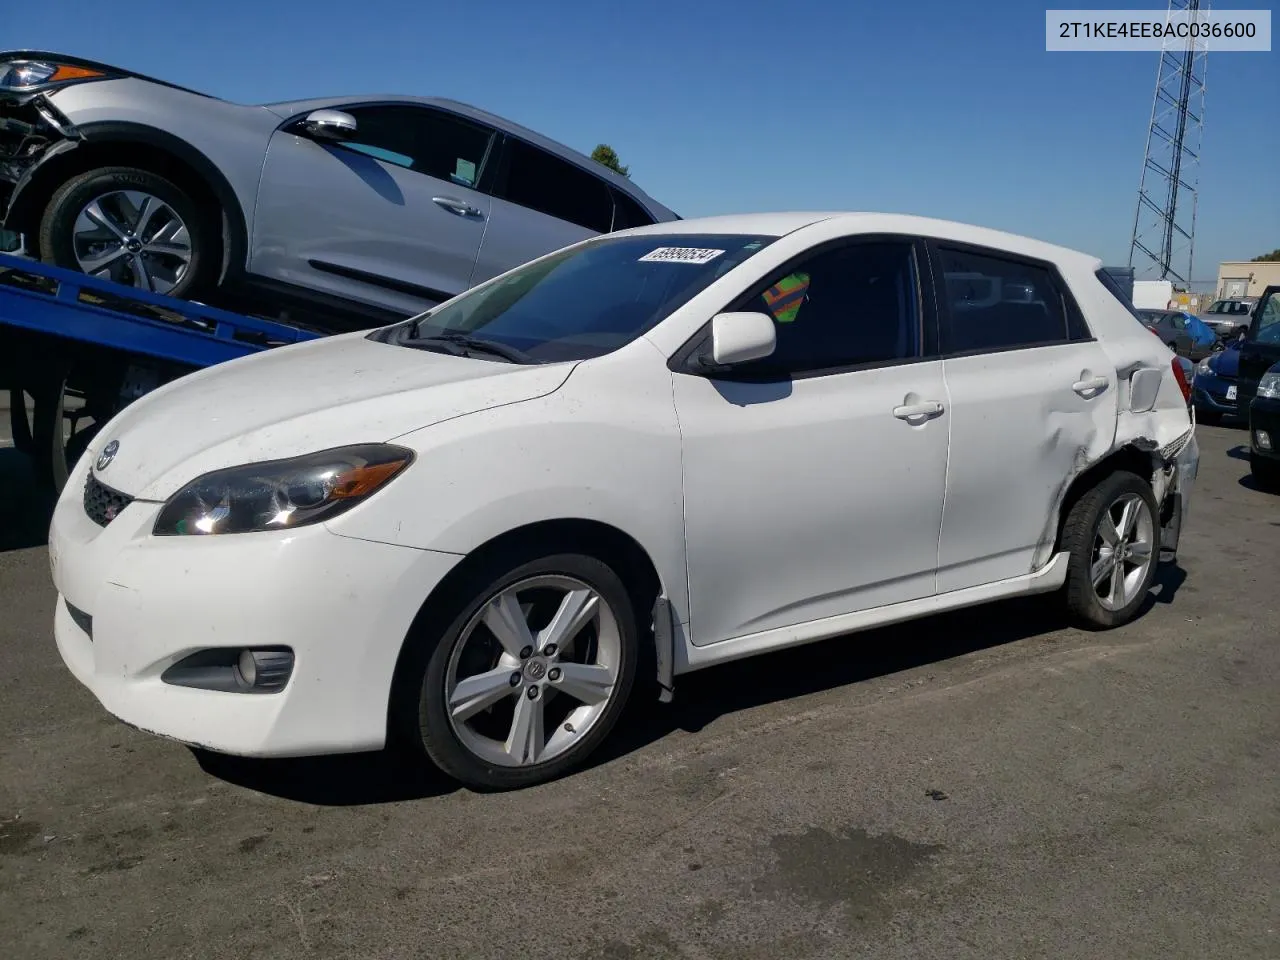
(394, 217)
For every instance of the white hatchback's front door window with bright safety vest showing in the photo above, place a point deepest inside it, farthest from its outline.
(840, 309)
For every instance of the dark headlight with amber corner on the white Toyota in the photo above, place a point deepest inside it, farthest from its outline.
(281, 495)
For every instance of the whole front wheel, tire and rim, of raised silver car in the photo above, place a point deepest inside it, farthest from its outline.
(132, 227)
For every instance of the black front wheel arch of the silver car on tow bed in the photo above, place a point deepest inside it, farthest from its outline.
(109, 144)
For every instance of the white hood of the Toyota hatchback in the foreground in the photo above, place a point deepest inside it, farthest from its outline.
(296, 400)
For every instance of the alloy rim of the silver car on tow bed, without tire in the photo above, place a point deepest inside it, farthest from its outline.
(135, 239)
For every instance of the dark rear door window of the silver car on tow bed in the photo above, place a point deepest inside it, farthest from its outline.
(556, 188)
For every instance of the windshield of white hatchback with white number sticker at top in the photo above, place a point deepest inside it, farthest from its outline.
(591, 300)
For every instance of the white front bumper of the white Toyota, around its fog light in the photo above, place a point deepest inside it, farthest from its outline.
(344, 606)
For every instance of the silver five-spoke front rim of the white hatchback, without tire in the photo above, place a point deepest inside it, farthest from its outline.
(533, 671)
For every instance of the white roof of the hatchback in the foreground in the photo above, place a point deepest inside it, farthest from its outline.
(779, 225)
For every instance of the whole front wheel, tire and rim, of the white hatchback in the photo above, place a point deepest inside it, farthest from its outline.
(531, 675)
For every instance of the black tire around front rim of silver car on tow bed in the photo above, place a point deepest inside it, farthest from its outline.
(58, 227)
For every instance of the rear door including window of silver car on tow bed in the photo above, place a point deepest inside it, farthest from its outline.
(541, 203)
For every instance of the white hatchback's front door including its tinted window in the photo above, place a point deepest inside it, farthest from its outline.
(815, 478)
